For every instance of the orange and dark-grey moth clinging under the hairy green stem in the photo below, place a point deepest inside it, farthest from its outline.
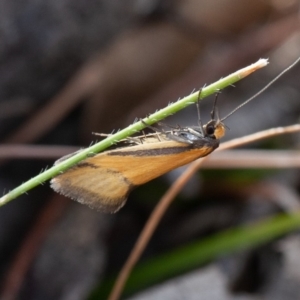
(105, 180)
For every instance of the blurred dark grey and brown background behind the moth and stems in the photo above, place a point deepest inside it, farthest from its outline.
(70, 68)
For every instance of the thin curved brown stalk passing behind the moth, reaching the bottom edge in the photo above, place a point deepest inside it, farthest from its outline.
(169, 196)
